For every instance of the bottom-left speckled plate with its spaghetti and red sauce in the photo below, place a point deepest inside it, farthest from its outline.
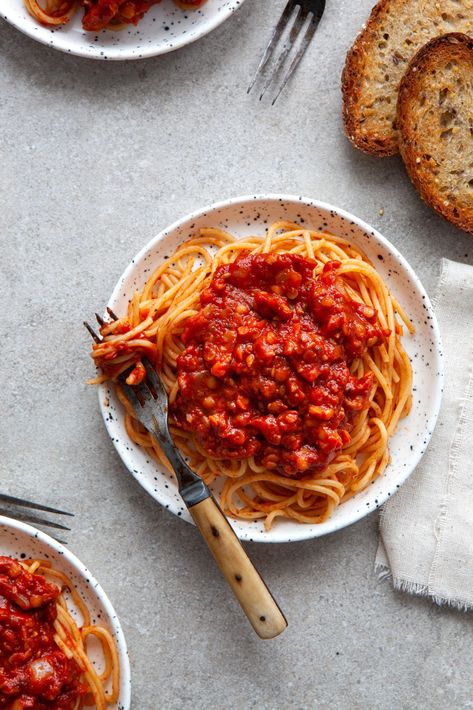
(81, 659)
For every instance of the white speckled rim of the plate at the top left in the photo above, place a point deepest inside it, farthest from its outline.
(144, 53)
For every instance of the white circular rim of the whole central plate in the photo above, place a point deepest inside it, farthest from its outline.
(332, 525)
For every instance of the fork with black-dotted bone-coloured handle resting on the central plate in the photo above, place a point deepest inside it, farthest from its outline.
(150, 403)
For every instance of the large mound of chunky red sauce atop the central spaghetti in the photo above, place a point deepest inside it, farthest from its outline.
(265, 371)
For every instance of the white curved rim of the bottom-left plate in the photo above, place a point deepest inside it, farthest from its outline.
(94, 585)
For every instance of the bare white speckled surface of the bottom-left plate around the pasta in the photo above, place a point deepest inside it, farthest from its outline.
(23, 541)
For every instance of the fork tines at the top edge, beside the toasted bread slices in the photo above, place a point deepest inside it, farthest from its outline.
(301, 19)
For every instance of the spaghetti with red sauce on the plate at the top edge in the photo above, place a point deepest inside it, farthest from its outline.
(98, 14)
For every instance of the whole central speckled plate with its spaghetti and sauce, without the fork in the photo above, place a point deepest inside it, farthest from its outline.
(291, 337)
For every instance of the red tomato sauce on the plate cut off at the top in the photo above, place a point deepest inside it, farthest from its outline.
(100, 13)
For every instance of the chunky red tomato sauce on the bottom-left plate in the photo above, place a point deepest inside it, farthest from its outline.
(34, 672)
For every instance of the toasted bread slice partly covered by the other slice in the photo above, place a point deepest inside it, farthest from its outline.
(395, 31)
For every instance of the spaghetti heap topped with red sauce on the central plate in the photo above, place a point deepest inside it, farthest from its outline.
(283, 362)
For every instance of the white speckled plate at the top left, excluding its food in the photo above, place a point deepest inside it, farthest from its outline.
(164, 28)
